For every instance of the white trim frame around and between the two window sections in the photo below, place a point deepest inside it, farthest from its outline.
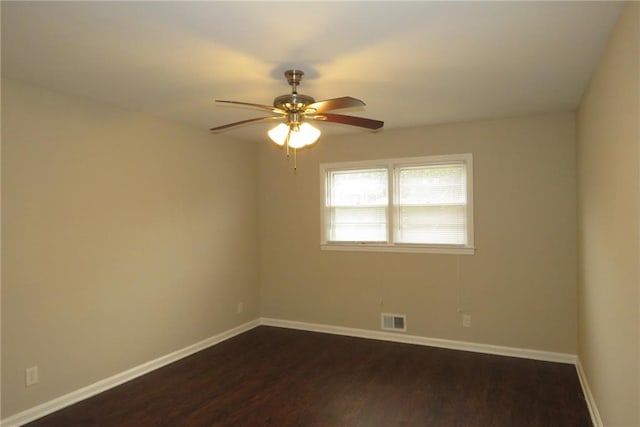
(390, 165)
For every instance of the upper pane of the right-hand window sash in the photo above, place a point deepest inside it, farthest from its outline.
(432, 185)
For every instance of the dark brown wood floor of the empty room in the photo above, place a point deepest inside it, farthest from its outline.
(281, 377)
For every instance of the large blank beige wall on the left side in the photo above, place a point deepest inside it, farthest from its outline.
(125, 238)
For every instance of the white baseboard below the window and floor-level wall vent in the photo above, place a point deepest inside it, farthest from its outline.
(431, 342)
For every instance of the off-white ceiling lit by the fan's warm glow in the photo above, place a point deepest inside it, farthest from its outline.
(413, 63)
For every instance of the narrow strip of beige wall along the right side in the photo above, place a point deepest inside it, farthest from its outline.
(609, 218)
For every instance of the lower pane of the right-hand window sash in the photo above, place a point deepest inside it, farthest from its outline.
(432, 224)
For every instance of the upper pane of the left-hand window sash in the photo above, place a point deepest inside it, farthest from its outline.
(358, 188)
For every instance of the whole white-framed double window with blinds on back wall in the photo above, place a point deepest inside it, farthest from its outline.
(422, 204)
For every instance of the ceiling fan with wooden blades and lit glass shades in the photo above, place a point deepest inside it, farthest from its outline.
(295, 110)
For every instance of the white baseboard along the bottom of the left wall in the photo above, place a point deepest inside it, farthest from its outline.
(56, 404)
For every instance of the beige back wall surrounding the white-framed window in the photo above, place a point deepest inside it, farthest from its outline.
(520, 286)
